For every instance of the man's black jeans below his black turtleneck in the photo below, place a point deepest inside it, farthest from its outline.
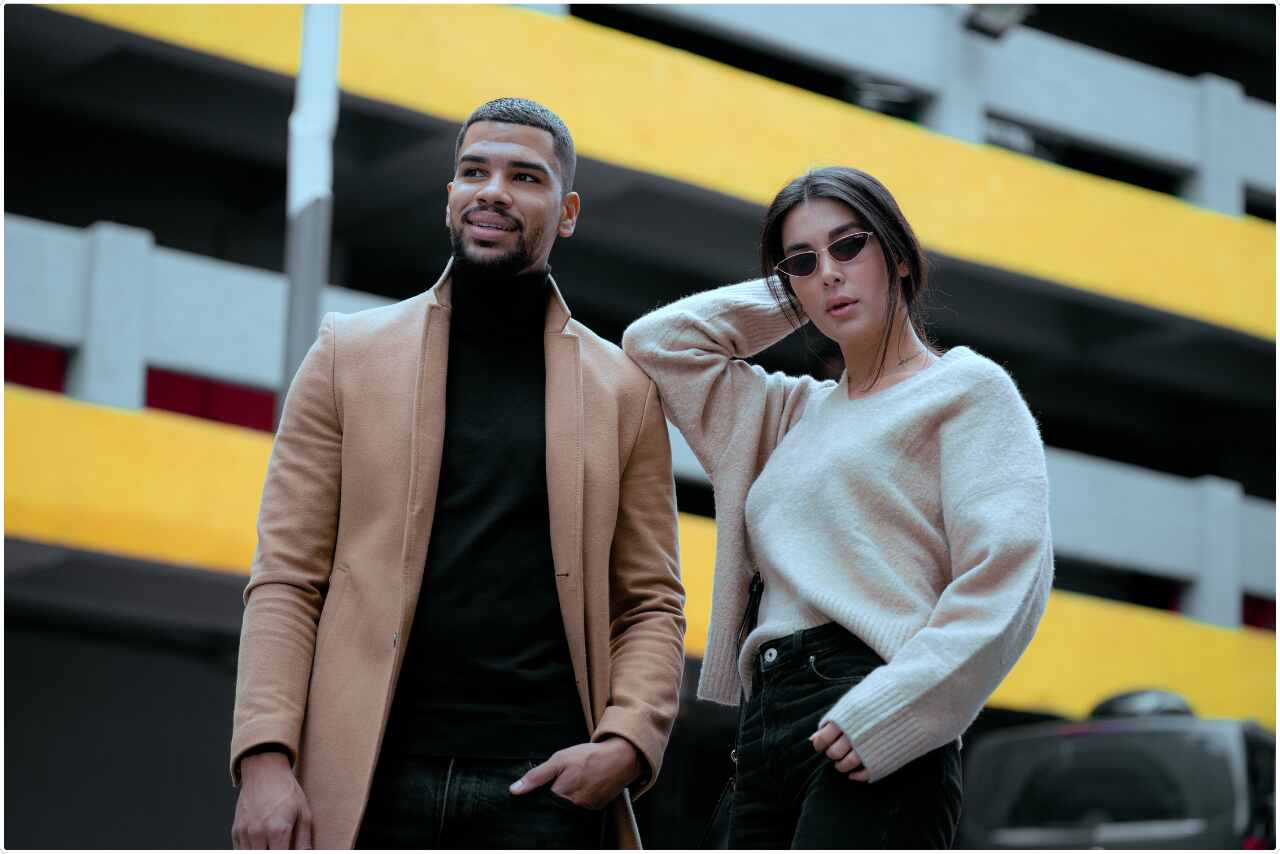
(465, 803)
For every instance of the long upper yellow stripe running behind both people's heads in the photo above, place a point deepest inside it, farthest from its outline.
(655, 109)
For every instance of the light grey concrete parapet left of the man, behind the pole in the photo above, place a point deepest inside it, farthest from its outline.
(148, 307)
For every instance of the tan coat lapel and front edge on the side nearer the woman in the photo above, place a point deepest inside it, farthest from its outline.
(565, 479)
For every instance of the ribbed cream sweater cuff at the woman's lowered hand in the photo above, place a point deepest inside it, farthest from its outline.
(879, 724)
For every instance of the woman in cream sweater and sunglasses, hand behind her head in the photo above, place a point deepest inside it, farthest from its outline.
(898, 518)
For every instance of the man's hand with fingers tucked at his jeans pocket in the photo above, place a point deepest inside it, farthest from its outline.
(588, 775)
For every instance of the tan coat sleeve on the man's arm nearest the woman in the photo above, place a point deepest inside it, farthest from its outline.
(647, 620)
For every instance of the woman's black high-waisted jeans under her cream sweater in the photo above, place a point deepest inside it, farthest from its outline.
(788, 796)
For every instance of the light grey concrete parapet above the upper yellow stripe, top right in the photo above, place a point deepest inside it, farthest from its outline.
(1151, 116)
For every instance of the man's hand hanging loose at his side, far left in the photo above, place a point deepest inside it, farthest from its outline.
(272, 811)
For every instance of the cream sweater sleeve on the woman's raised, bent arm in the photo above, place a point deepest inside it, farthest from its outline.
(694, 351)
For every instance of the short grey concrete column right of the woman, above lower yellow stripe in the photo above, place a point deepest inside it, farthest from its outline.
(1217, 596)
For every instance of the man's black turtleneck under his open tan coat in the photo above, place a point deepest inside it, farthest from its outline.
(488, 673)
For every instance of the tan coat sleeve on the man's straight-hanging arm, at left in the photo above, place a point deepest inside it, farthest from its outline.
(290, 577)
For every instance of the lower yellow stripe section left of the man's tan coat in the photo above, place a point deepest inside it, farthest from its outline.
(147, 485)
